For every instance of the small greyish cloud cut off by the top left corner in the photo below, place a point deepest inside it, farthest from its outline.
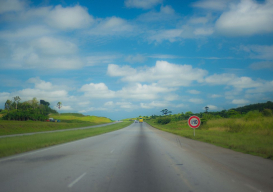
(11, 5)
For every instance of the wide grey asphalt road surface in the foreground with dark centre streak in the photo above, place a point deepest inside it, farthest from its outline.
(138, 158)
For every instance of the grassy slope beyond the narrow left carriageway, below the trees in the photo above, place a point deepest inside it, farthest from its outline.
(68, 120)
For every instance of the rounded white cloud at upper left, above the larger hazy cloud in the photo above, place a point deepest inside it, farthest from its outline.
(75, 17)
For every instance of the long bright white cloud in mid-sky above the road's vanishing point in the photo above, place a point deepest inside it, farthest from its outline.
(163, 72)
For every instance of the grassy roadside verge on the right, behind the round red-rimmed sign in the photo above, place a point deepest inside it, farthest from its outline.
(252, 136)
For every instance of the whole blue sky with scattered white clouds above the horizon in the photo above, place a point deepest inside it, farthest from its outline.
(125, 58)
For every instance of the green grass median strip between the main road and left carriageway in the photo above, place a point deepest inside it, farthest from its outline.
(14, 145)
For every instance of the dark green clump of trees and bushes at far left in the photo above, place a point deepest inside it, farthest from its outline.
(28, 110)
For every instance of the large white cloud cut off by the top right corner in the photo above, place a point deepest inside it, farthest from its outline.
(246, 18)
